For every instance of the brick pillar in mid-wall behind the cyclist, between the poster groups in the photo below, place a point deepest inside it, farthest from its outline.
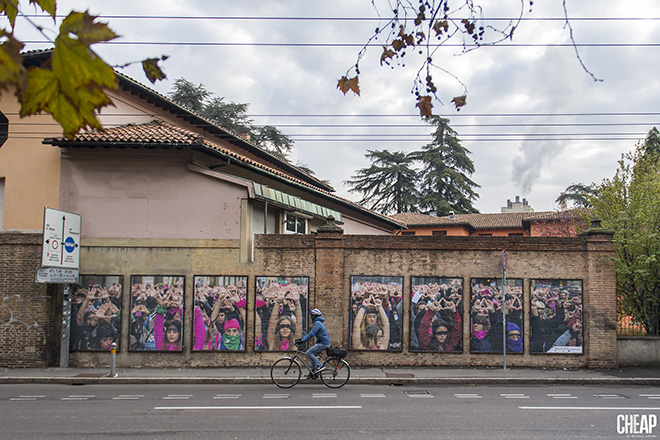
(329, 247)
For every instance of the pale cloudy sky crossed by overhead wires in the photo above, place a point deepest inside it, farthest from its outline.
(535, 121)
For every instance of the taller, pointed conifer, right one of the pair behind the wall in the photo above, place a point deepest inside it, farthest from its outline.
(445, 182)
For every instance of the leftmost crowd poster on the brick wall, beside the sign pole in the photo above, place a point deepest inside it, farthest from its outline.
(95, 313)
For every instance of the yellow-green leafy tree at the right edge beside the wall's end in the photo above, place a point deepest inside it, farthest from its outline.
(629, 205)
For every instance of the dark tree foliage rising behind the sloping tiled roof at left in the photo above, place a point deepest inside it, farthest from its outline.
(231, 116)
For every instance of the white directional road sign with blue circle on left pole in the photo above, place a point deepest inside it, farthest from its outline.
(61, 242)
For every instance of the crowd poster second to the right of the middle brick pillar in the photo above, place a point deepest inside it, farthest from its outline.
(436, 307)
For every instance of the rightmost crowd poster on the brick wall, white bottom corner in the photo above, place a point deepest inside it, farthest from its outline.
(556, 316)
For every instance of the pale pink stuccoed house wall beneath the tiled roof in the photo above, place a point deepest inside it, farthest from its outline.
(139, 194)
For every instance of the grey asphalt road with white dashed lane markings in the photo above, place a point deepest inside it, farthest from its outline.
(187, 412)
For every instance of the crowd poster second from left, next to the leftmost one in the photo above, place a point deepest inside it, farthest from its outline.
(156, 313)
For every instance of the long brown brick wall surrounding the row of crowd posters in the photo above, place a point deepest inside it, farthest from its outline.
(329, 258)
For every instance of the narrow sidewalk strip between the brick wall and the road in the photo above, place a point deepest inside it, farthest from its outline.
(649, 376)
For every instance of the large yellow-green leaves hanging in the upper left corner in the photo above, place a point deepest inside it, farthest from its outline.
(71, 86)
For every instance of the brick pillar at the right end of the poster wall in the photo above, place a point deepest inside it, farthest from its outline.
(600, 300)
